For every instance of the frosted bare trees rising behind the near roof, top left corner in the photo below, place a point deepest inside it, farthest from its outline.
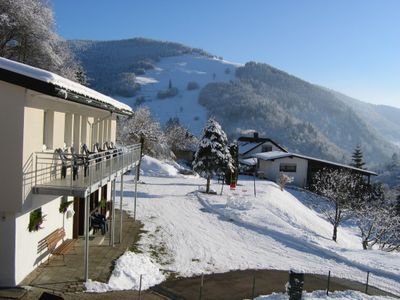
(27, 35)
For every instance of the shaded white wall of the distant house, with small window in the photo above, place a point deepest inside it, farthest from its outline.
(271, 171)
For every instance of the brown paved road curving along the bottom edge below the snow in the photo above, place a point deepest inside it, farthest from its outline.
(238, 285)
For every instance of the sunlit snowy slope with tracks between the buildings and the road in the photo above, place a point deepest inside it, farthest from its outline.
(192, 233)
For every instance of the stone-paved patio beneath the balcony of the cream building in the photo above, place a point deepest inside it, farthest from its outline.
(63, 277)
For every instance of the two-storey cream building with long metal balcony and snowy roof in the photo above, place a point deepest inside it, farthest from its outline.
(40, 112)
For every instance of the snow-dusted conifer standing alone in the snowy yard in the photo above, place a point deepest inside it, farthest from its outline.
(212, 156)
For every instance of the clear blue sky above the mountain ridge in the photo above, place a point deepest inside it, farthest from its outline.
(352, 46)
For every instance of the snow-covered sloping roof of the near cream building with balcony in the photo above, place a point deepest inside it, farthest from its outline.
(64, 85)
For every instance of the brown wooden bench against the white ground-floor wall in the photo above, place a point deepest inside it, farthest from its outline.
(50, 243)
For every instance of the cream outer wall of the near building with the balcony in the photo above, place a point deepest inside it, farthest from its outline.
(28, 120)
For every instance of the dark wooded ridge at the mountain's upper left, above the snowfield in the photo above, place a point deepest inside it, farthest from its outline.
(111, 66)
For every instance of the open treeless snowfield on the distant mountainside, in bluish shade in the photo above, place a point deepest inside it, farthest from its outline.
(181, 70)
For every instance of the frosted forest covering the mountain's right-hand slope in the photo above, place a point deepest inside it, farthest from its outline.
(303, 117)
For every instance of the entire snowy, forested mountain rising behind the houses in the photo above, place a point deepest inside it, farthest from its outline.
(176, 81)
